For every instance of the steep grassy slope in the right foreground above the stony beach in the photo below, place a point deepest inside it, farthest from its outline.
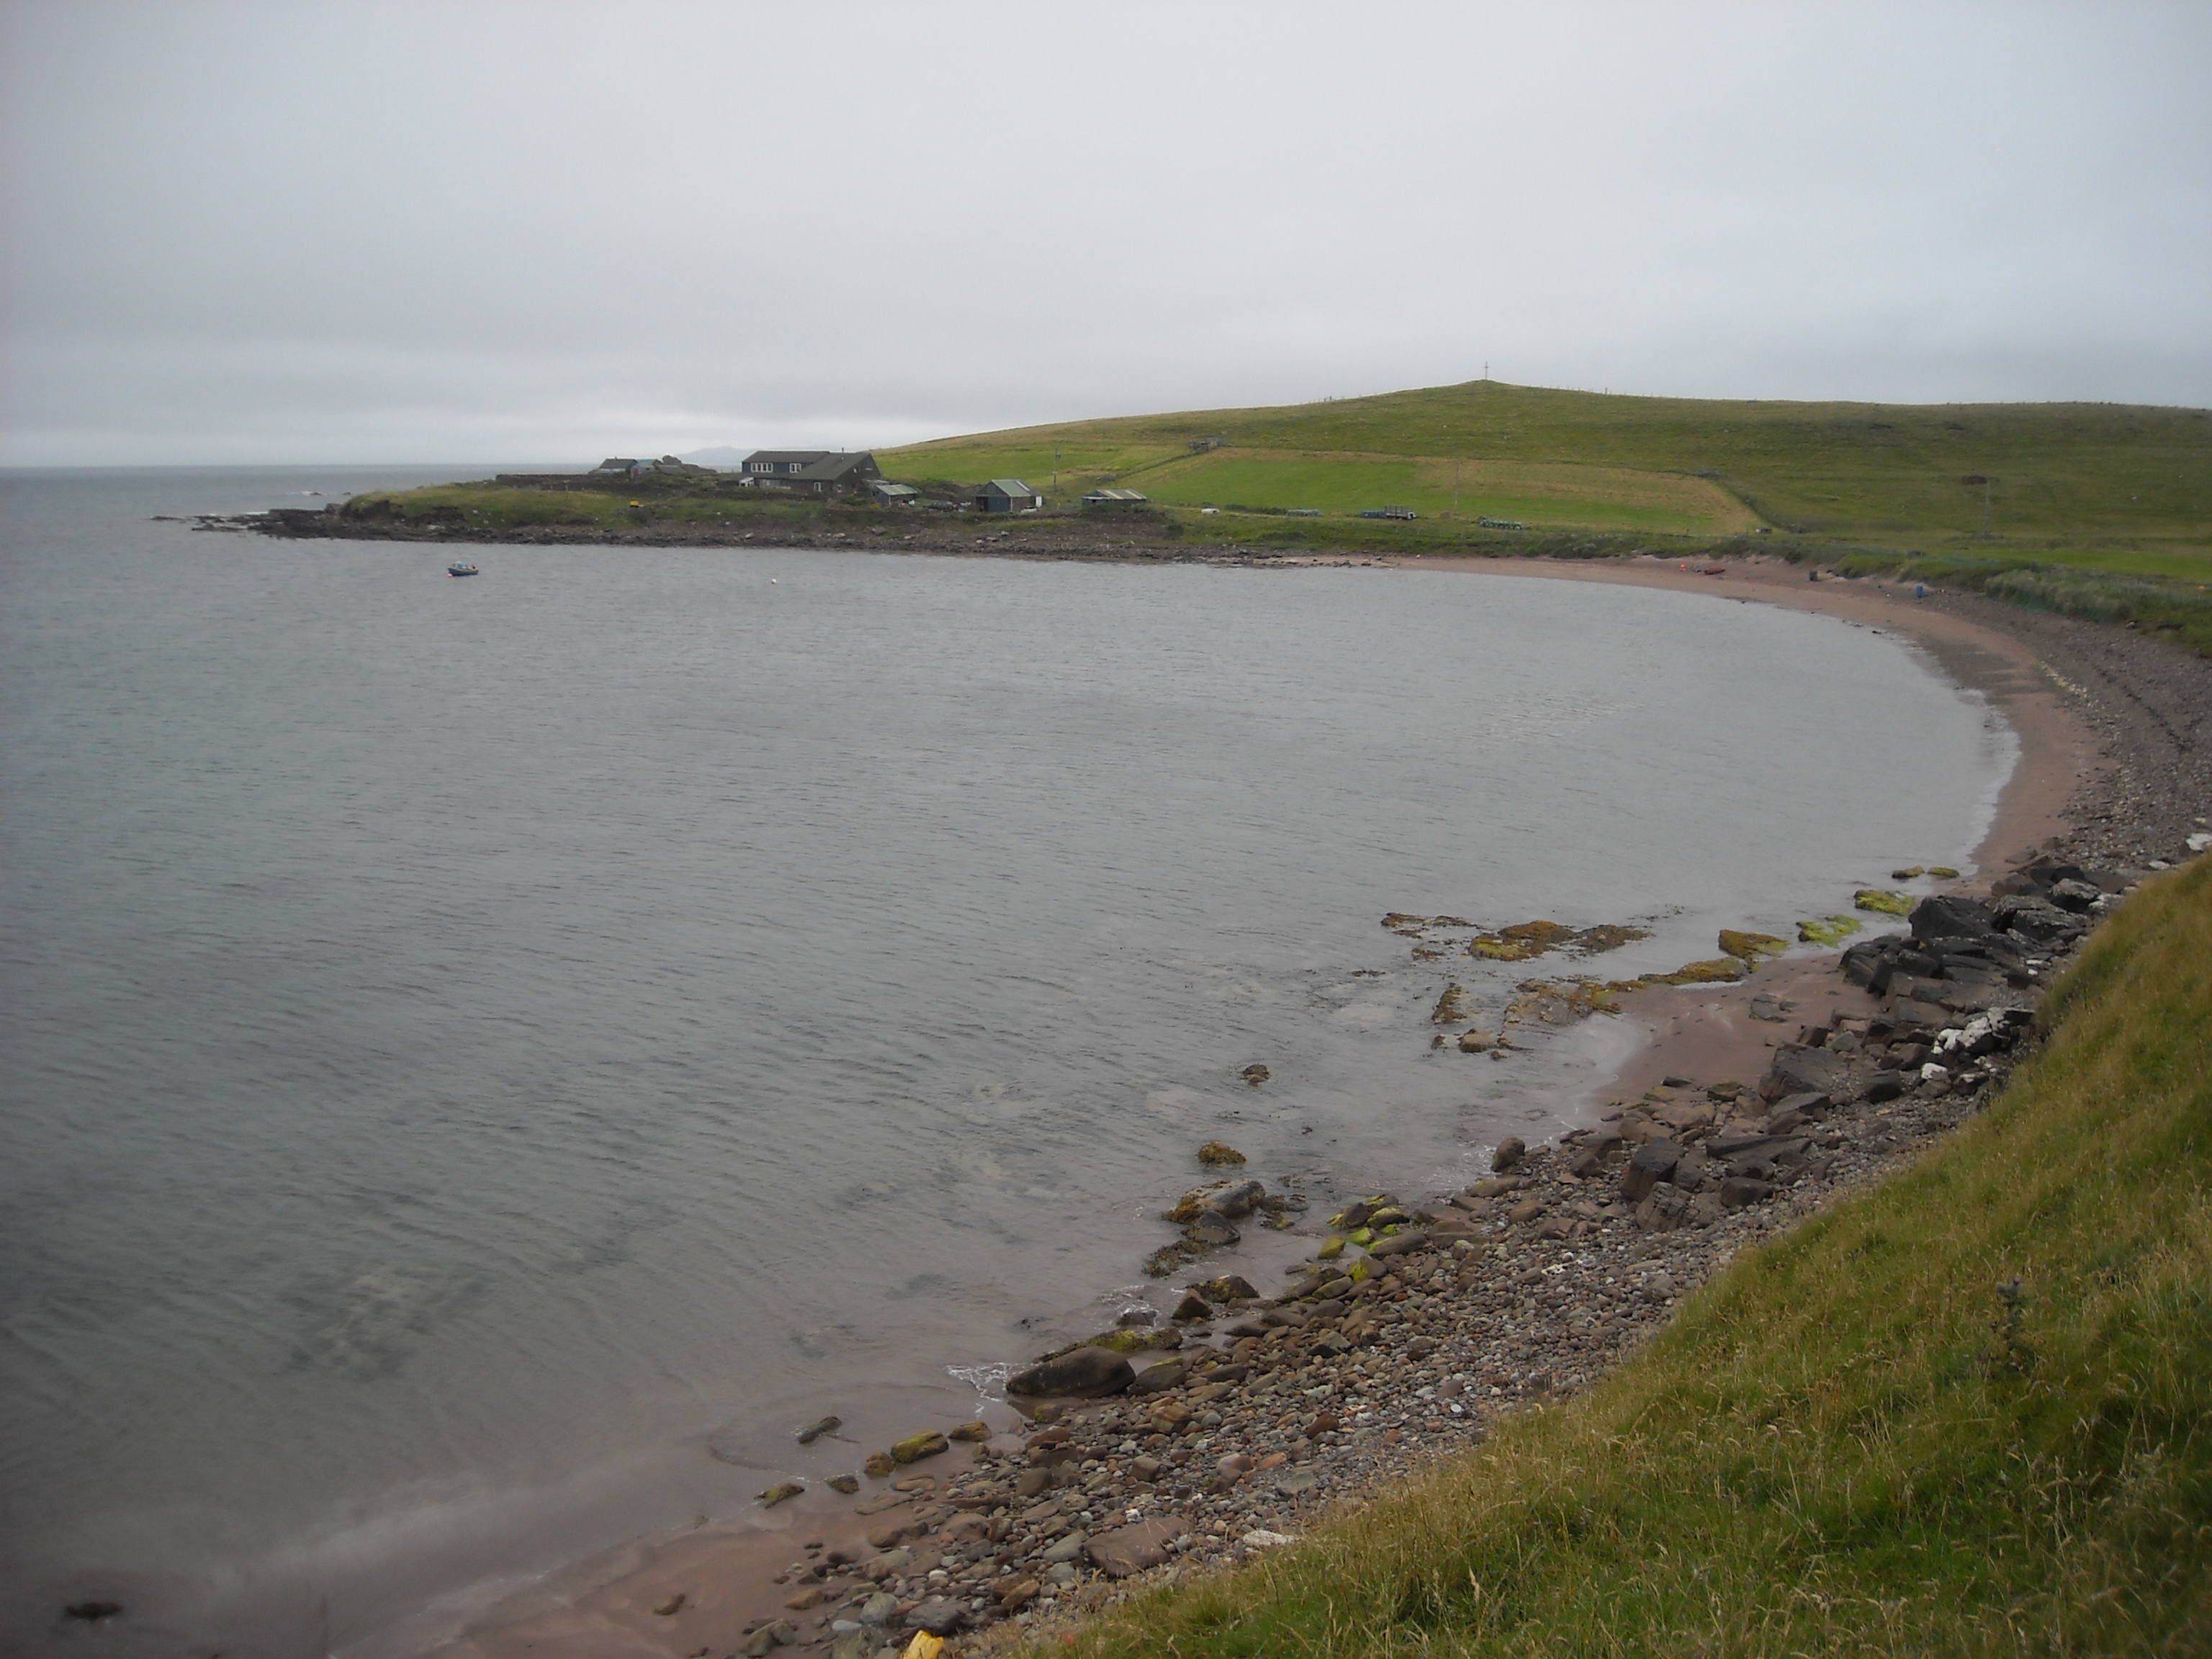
(1841, 1446)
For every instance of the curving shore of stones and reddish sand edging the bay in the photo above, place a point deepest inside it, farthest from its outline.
(1182, 1446)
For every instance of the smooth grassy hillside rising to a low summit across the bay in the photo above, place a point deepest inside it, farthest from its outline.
(2098, 477)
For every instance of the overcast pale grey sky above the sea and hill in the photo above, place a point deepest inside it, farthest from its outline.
(552, 231)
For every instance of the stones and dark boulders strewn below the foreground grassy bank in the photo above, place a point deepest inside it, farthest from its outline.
(1419, 1324)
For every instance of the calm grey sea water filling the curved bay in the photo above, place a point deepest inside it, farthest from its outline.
(474, 1045)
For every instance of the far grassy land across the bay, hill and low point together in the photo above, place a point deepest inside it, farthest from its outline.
(2098, 512)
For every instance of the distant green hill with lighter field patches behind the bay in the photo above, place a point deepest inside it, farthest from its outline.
(2125, 488)
